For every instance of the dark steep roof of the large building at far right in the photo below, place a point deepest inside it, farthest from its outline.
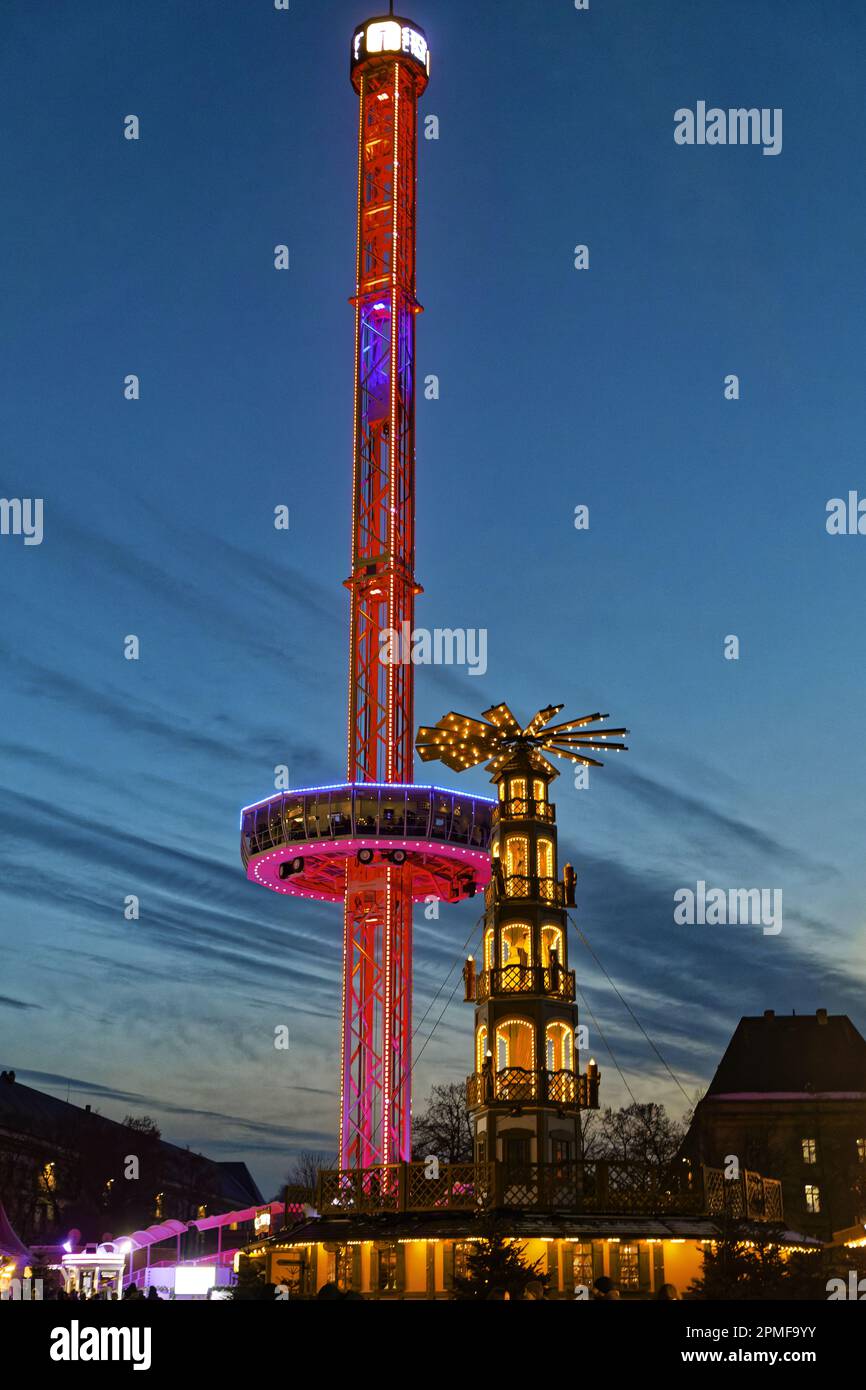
(793, 1054)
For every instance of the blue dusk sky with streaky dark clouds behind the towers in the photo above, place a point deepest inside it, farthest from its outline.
(558, 389)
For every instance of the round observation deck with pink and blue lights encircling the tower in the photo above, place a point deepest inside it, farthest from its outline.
(301, 843)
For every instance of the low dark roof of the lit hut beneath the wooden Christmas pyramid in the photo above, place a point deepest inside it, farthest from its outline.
(523, 1224)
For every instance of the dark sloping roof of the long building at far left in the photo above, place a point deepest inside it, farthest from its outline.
(35, 1114)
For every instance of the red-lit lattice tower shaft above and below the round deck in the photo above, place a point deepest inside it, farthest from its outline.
(390, 73)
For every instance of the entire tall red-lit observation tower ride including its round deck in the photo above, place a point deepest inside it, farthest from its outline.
(377, 843)
